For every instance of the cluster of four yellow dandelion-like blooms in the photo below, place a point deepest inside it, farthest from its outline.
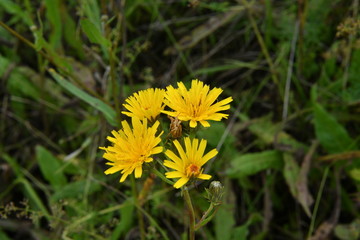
(134, 145)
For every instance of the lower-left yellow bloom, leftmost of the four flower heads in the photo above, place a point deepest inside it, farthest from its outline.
(132, 147)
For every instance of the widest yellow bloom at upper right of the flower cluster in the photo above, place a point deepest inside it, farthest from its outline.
(196, 104)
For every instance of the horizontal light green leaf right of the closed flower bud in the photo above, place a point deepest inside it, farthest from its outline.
(252, 163)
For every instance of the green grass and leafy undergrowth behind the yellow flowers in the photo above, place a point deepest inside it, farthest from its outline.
(288, 154)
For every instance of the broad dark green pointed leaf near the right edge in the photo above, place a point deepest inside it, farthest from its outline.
(331, 134)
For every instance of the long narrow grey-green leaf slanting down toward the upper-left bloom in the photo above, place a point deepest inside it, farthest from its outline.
(108, 112)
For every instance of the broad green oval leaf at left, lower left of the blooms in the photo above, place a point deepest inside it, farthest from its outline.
(50, 167)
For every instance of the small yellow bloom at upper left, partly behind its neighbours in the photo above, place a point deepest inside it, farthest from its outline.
(145, 104)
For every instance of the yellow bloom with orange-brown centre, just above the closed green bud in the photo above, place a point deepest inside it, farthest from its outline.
(188, 164)
